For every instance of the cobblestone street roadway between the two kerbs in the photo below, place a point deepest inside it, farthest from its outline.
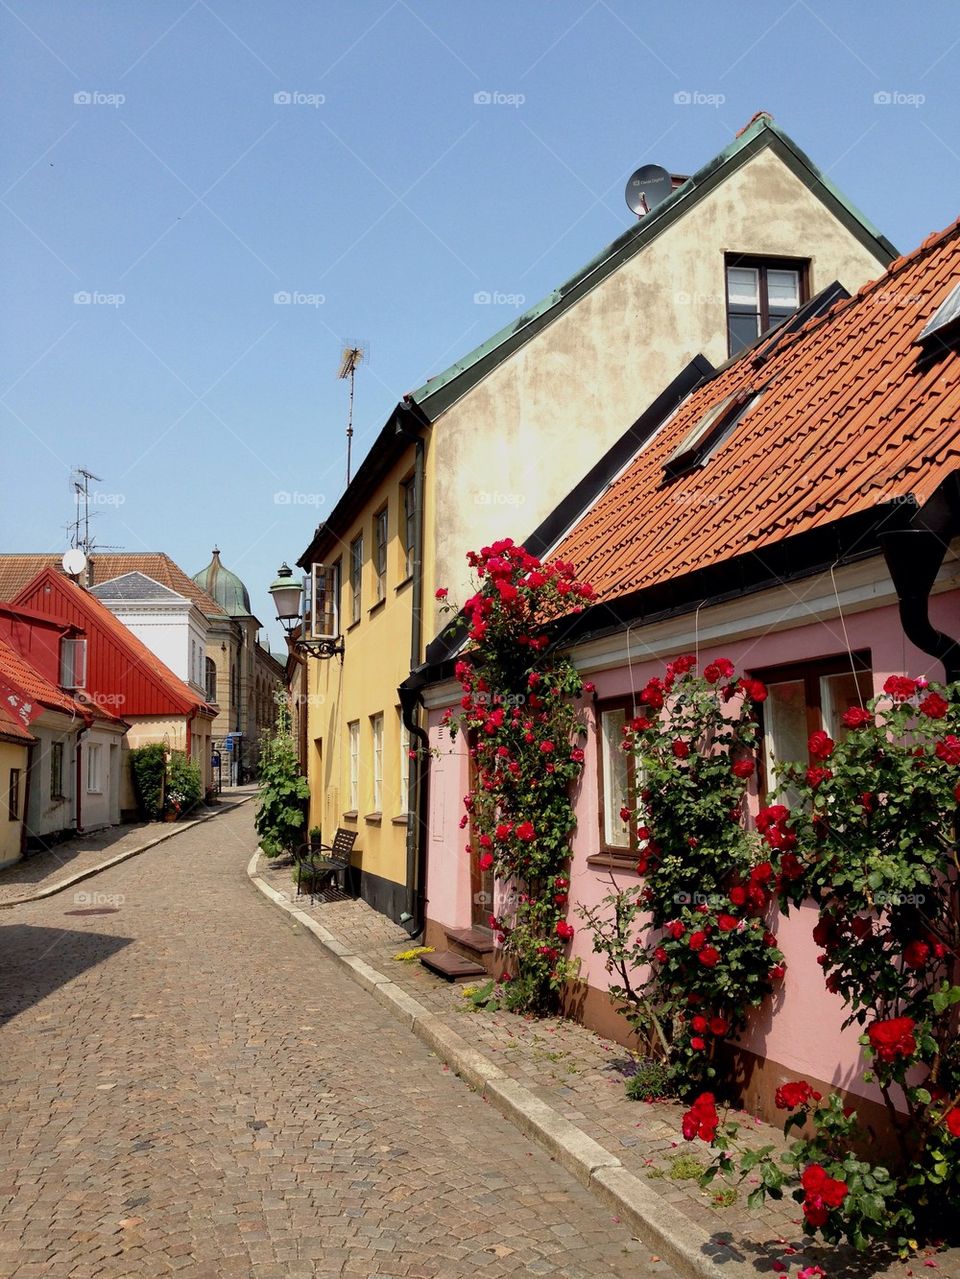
(191, 1088)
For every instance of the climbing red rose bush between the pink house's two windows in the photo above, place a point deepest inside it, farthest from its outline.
(690, 948)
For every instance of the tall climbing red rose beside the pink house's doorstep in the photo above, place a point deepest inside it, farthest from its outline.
(520, 716)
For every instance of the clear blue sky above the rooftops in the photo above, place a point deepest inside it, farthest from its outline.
(185, 187)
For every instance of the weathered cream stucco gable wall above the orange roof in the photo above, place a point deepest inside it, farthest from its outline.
(520, 442)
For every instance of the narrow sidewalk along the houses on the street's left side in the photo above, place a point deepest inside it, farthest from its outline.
(75, 860)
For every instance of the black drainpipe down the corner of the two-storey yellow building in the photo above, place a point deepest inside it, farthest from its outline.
(414, 919)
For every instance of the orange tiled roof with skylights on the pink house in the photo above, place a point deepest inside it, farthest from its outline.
(851, 418)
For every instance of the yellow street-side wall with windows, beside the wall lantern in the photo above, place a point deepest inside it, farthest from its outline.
(378, 658)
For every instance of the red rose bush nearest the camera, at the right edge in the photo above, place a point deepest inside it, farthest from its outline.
(872, 838)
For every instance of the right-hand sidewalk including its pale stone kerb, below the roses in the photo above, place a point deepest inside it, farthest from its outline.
(569, 1074)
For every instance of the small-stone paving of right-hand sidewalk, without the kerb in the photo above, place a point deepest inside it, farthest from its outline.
(582, 1076)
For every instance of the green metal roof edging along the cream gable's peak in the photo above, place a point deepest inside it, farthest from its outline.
(761, 132)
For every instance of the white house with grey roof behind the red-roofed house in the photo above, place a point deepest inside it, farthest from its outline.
(168, 624)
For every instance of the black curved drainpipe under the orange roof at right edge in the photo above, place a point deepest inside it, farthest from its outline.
(915, 557)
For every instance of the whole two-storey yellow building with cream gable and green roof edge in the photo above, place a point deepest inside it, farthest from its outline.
(498, 444)
